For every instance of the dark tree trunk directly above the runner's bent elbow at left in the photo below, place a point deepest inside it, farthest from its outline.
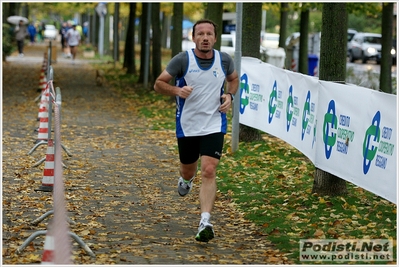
(156, 42)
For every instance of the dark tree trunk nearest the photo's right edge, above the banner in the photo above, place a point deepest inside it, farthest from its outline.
(386, 41)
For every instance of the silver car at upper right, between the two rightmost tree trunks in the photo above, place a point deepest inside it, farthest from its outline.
(364, 46)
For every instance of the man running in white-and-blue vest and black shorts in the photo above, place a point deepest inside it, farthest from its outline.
(201, 122)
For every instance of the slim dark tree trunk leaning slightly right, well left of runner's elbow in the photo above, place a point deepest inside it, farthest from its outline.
(129, 62)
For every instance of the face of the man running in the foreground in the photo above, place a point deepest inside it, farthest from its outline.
(204, 38)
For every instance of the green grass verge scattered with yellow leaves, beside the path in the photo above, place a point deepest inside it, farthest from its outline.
(271, 183)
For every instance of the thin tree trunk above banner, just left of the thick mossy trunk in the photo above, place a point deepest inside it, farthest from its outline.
(303, 42)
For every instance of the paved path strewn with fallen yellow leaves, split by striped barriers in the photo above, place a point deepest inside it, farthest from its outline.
(120, 182)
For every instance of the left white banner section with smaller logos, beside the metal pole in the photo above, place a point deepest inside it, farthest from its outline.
(280, 103)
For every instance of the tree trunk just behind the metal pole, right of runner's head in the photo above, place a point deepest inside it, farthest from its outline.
(252, 19)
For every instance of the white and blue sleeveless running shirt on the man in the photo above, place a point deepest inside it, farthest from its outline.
(199, 114)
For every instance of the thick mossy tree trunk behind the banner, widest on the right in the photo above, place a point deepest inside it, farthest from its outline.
(332, 68)
